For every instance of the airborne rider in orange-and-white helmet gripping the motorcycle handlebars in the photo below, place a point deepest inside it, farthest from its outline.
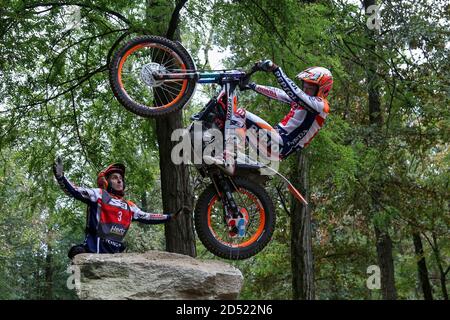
(309, 108)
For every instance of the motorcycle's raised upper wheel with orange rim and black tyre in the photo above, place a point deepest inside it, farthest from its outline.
(132, 81)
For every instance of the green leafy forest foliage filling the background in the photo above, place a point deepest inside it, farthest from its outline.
(56, 100)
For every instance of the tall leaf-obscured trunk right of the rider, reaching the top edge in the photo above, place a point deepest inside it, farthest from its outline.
(383, 240)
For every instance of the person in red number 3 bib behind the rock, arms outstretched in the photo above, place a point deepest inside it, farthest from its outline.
(108, 214)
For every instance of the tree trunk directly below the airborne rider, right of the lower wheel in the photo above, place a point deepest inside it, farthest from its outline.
(301, 237)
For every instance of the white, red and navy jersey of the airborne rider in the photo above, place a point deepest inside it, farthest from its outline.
(305, 118)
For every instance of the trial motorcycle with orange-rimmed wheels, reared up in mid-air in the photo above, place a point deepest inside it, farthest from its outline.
(152, 76)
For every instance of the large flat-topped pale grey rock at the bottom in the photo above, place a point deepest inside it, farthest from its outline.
(154, 275)
